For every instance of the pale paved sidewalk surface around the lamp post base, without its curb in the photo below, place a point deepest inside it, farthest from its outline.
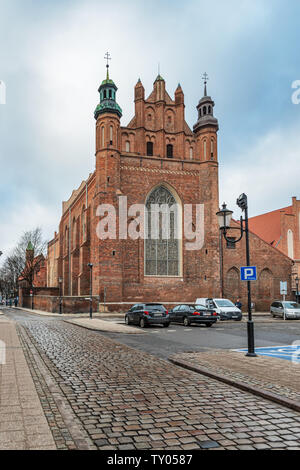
(275, 375)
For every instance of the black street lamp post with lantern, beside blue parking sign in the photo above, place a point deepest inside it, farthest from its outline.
(224, 219)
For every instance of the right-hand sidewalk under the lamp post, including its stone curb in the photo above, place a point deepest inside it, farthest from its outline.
(275, 379)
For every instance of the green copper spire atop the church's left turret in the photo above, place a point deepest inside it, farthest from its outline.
(107, 92)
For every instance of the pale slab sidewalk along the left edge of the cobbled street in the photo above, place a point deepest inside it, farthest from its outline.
(23, 425)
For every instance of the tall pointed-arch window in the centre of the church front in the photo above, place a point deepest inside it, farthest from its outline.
(162, 244)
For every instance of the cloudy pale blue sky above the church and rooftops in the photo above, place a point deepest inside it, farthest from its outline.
(52, 62)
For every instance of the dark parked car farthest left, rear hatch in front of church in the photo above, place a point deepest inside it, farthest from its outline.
(147, 314)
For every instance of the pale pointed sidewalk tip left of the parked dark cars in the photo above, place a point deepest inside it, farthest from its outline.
(106, 326)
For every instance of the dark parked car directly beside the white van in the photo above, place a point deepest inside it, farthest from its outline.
(188, 314)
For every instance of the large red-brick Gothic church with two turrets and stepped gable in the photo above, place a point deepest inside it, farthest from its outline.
(157, 157)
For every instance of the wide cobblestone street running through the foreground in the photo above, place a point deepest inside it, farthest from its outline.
(125, 399)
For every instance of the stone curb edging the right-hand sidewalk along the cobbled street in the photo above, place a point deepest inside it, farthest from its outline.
(294, 405)
